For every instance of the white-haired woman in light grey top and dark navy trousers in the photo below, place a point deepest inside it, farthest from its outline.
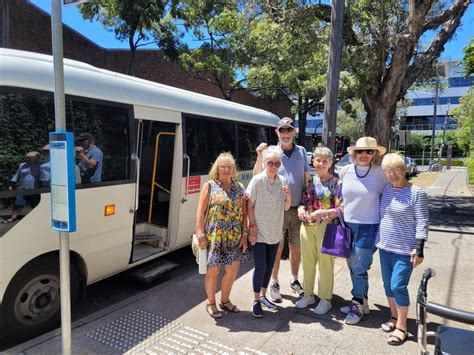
(268, 198)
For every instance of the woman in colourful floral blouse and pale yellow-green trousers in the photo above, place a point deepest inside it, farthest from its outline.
(322, 198)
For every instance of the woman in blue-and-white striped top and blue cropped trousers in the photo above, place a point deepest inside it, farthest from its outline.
(401, 237)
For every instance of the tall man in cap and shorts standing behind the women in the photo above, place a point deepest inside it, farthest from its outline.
(295, 169)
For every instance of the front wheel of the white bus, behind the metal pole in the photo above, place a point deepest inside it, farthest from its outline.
(31, 305)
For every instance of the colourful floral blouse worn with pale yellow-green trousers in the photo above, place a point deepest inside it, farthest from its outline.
(322, 195)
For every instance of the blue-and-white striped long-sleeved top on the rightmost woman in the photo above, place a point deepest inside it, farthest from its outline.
(404, 218)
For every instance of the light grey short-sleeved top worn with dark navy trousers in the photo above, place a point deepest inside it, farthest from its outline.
(269, 206)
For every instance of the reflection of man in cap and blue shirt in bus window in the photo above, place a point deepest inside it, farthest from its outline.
(91, 158)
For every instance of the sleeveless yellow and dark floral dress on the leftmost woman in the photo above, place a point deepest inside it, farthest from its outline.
(224, 224)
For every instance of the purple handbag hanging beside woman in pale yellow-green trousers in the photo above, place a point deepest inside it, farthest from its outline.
(337, 239)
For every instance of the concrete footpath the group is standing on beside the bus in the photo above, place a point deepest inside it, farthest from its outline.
(171, 317)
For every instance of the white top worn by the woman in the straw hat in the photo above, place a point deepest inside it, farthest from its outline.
(362, 194)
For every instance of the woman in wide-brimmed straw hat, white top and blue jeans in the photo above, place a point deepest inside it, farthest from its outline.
(362, 184)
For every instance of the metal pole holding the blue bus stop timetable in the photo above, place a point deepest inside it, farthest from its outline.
(60, 123)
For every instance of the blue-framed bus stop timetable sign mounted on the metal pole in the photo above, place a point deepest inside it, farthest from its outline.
(63, 181)
